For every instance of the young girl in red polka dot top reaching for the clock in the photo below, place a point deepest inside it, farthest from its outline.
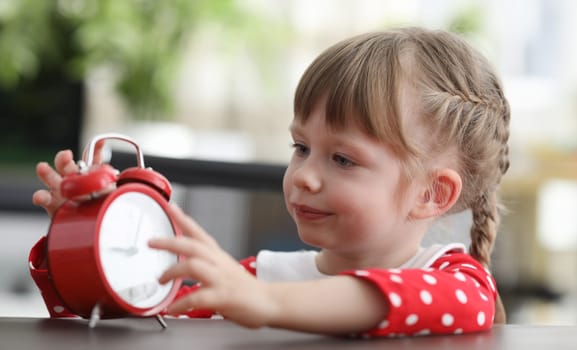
(392, 130)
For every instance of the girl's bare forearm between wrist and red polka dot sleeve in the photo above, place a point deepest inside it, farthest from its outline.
(335, 305)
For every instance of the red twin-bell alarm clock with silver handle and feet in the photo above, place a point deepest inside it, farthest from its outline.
(98, 258)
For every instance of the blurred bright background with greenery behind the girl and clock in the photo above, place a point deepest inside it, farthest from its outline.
(213, 80)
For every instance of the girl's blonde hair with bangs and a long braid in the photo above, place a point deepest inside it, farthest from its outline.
(460, 103)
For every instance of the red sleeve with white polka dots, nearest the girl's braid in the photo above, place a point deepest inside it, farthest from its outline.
(455, 295)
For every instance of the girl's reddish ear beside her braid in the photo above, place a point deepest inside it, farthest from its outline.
(439, 196)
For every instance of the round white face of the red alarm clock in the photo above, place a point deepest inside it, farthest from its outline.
(132, 268)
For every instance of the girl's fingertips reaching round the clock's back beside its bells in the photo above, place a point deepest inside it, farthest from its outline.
(51, 199)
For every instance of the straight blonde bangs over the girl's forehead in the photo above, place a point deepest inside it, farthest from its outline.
(358, 81)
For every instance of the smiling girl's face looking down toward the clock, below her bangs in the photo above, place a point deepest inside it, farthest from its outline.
(342, 190)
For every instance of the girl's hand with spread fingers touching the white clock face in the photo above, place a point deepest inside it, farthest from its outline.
(226, 287)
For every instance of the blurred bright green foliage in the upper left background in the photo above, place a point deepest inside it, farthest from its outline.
(142, 41)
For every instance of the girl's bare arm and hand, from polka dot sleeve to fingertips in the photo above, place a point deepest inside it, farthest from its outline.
(335, 305)
